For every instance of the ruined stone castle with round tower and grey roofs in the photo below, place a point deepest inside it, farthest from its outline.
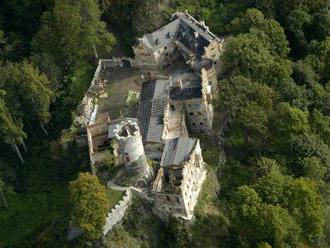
(181, 64)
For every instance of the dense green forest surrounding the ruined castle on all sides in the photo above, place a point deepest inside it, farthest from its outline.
(274, 92)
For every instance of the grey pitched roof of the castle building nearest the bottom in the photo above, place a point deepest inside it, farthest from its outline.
(177, 151)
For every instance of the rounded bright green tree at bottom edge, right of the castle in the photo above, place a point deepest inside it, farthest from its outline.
(258, 222)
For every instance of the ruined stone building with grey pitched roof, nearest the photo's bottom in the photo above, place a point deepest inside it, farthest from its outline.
(179, 180)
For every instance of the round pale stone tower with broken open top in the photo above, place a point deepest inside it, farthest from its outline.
(129, 139)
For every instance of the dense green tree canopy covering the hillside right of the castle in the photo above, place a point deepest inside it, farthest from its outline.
(278, 112)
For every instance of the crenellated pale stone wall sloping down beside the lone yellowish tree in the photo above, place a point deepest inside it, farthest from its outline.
(117, 213)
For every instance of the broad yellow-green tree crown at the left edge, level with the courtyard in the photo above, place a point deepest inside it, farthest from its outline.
(28, 92)
